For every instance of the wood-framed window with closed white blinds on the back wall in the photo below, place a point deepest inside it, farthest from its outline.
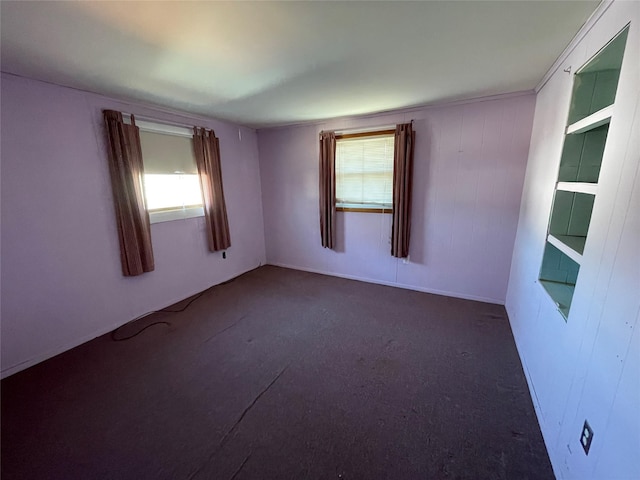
(364, 171)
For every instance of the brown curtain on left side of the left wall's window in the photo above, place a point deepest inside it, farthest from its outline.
(125, 165)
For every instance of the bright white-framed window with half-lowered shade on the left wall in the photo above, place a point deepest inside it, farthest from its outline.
(171, 182)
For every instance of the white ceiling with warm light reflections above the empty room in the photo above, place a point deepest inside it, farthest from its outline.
(272, 63)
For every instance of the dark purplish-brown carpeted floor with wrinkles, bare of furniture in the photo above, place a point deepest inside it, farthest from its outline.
(282, 374)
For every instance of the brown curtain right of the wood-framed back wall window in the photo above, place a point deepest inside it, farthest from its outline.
(402, 180)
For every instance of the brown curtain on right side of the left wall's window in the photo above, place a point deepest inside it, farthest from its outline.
(207, 152)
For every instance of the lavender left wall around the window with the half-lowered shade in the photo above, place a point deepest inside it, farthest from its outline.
(61, 277)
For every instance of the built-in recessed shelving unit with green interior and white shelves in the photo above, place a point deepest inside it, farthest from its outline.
(590, 113)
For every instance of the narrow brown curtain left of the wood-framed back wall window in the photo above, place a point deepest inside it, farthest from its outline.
(328, 189)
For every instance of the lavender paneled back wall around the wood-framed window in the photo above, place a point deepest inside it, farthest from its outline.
(469, 168)
